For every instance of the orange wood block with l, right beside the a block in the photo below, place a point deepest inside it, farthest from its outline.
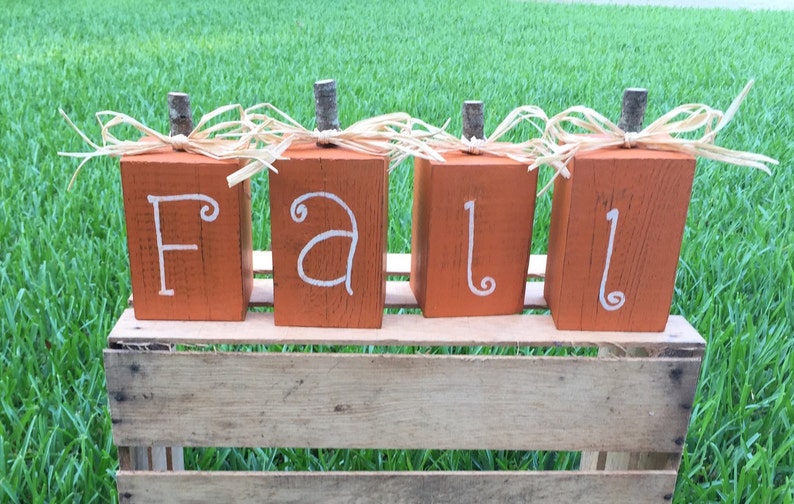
(472, 231)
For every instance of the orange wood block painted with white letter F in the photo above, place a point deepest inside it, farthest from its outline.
(189, 237)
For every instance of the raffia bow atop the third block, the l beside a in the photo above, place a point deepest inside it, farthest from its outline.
(526, 152)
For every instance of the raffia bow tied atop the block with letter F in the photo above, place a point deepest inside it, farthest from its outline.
(231, 139)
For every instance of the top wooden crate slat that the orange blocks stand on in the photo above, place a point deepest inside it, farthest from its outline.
(411, 330)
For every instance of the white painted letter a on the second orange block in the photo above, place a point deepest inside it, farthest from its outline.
(298, 212)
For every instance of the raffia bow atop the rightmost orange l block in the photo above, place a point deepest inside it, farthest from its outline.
(662, 134)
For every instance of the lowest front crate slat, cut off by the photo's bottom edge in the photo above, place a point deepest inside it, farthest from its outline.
(559, 487)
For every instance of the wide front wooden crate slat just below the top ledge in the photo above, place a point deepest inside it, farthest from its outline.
(399, 401)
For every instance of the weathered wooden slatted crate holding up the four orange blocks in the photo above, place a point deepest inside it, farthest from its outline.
(626, 410)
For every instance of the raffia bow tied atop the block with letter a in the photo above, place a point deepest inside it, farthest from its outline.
(393, 135)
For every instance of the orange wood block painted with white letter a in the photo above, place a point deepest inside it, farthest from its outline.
(329, 216)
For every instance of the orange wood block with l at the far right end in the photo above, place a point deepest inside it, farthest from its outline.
(615, 238)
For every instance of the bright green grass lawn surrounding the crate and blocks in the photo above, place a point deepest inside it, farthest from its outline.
(63, 264)
